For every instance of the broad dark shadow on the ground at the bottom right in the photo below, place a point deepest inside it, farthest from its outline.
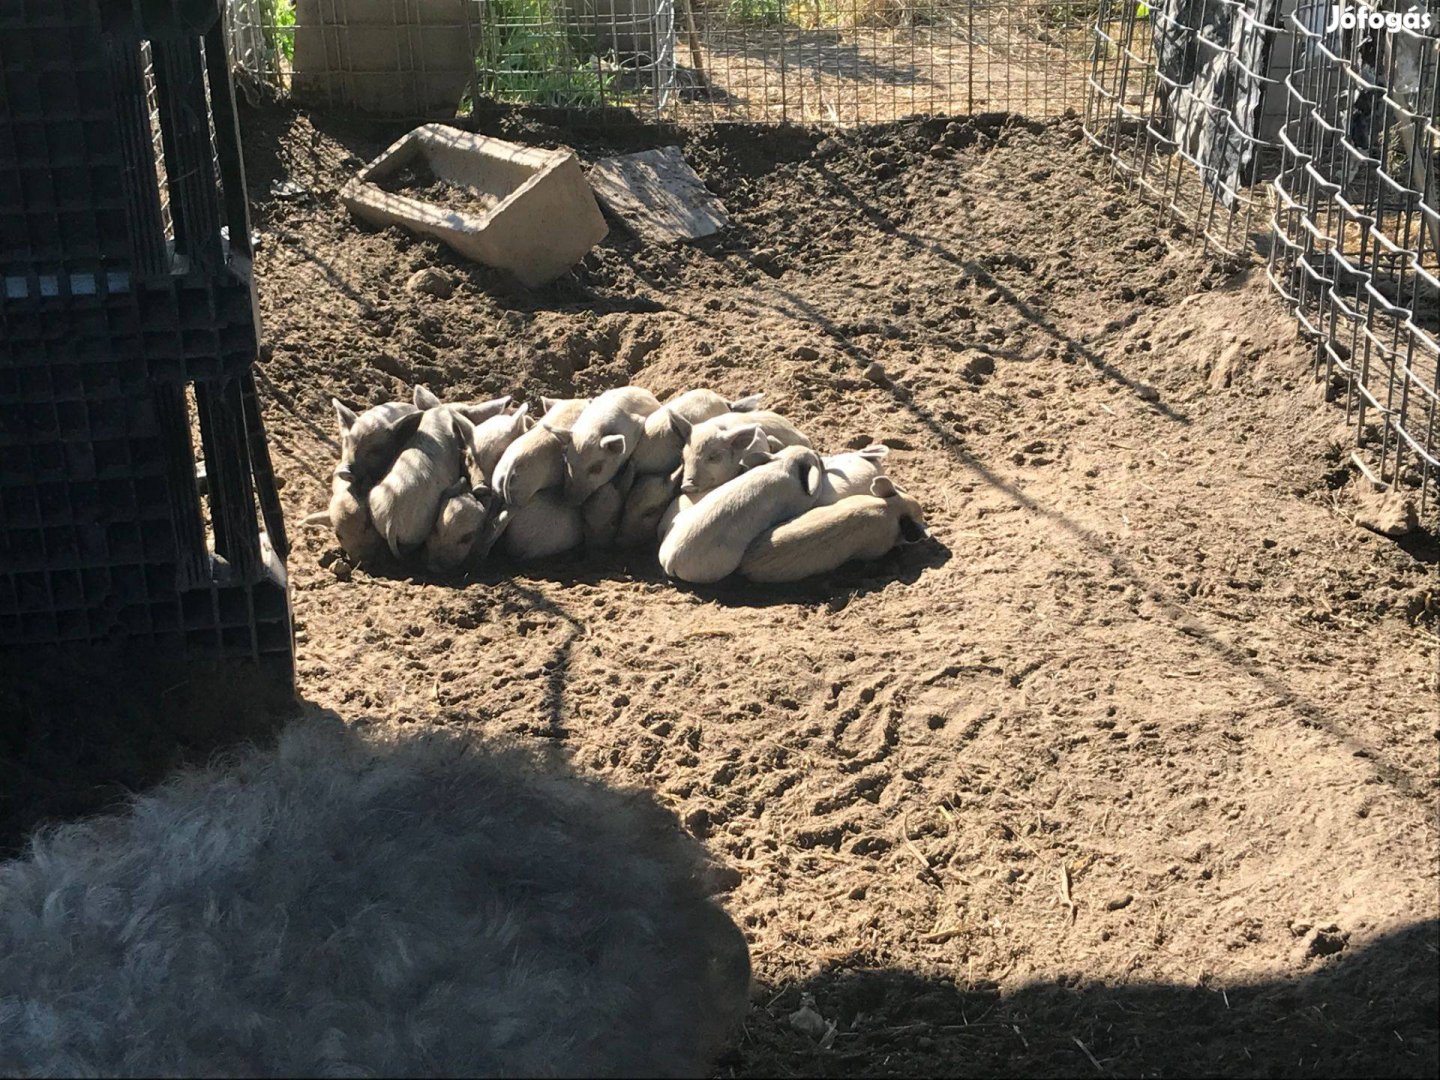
(1364, 1013)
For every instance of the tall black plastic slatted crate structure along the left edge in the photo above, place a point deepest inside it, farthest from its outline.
(126, 294)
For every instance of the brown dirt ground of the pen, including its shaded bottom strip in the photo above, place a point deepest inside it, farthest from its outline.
(1134, 770)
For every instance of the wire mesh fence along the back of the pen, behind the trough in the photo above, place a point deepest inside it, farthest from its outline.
(757, 61)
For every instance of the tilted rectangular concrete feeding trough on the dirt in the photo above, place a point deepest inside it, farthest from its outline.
(528, 211)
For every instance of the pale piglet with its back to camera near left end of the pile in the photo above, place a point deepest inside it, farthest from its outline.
(404, 506)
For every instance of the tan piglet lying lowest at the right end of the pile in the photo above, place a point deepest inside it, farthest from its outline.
(824, 538)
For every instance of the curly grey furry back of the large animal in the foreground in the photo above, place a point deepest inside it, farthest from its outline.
(345, 906)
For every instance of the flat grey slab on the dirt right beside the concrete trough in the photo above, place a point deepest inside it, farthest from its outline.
(659, 197)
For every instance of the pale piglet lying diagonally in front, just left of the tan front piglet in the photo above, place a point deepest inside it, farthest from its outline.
(709, 541)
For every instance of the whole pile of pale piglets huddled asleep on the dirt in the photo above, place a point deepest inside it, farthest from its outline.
(721, 485)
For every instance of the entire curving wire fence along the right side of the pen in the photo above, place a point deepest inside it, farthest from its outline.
(1320, 122)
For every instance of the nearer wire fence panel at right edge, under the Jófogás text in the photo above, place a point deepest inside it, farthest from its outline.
(1357, 230)
